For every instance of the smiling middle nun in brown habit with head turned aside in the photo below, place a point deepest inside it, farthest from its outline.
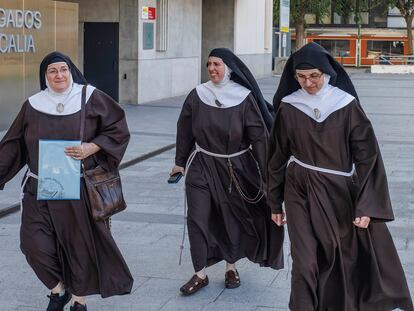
(221, 144)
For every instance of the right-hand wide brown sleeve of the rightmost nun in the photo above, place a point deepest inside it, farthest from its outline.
(372, 198)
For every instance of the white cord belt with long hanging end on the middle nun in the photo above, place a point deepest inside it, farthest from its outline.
(233, 179)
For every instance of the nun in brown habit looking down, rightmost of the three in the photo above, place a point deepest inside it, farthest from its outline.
(326, 166)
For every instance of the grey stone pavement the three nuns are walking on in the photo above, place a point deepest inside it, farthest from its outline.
(149, 232)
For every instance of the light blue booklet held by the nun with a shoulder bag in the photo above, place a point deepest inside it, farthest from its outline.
(59, 175)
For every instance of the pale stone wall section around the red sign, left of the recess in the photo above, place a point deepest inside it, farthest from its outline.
(177, 70)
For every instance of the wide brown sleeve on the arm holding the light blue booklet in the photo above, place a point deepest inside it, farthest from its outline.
(112, 133)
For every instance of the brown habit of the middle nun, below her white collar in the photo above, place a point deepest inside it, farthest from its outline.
(221, 225)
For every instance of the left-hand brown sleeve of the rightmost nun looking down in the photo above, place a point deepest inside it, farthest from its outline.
(278, 156)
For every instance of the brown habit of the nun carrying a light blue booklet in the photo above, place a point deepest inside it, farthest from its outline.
(60, 240)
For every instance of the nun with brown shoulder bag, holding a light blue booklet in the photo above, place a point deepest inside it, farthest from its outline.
(69, 252)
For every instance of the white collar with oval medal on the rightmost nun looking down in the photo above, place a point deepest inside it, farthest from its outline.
(319, 106)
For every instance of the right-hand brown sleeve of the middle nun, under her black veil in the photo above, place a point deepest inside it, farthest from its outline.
(257, 134)
